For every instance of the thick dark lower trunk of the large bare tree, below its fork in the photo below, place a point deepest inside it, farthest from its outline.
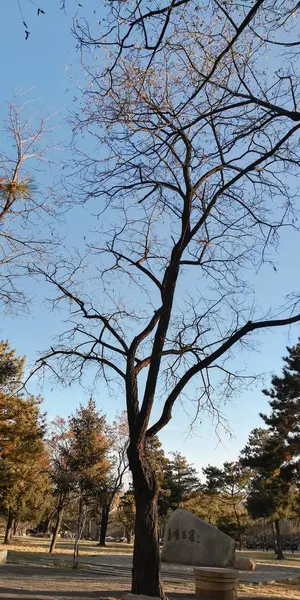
(146, 557)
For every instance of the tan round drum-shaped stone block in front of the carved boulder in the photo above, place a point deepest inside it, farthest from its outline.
(213, 583)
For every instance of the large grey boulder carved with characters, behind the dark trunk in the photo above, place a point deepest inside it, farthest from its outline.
(191, 541)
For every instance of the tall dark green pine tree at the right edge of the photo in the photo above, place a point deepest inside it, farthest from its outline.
(273, 453)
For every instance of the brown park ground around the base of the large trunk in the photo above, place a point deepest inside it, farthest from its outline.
(33, 574)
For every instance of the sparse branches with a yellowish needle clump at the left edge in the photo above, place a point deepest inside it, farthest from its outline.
(24, 209)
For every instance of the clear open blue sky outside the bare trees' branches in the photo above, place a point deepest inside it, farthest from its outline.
(49, 61)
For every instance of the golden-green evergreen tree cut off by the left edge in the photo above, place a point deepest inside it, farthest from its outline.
(23, 461)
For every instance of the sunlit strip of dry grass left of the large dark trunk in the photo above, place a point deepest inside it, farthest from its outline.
(32, 545)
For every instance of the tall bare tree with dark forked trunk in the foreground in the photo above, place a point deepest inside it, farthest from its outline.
(194, 153)
